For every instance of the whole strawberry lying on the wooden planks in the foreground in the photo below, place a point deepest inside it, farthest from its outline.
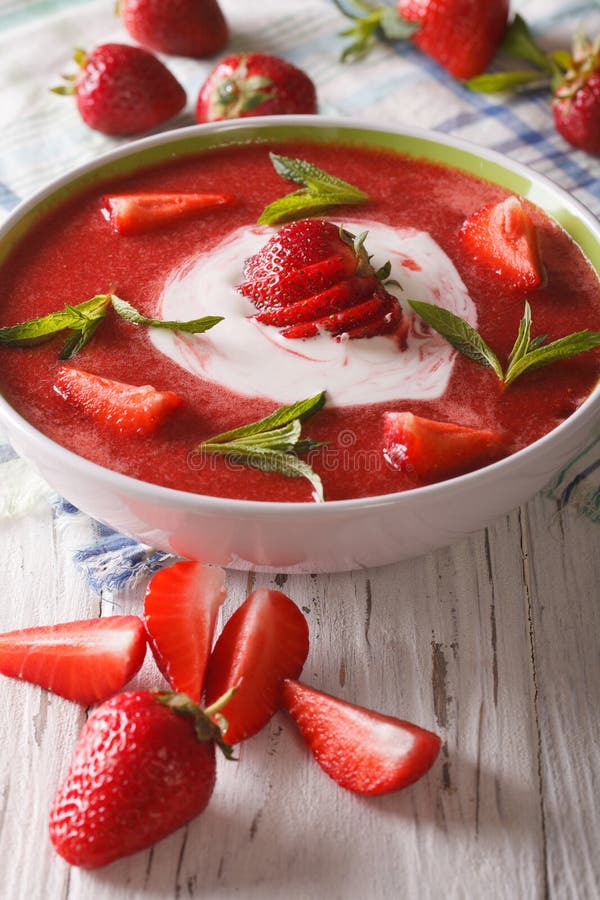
(144, 765)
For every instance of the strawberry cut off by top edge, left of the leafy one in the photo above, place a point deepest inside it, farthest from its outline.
(195, 28)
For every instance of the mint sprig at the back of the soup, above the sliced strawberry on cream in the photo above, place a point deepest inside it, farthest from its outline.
(319, 190)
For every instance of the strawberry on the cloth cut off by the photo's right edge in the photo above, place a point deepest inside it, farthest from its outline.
(576, 99)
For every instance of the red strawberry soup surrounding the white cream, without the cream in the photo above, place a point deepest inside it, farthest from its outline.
(75, 254)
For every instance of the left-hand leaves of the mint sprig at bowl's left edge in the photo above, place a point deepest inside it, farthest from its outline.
(81, 320)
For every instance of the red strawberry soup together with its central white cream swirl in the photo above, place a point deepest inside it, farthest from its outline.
(242, 369)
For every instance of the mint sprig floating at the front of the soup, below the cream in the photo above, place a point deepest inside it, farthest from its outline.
(273, 444)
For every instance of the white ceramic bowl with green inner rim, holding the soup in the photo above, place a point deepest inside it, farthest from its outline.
(306, 537)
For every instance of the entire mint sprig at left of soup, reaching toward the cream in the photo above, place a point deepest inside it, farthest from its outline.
(82, 321)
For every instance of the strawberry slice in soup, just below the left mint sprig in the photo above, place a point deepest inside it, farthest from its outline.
(124, 408)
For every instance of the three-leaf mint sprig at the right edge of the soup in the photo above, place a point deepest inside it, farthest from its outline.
(526, 355)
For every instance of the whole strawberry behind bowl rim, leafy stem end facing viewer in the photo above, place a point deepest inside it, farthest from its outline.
(255, 84)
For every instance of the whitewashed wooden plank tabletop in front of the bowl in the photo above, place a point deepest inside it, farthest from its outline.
(492, 643)
